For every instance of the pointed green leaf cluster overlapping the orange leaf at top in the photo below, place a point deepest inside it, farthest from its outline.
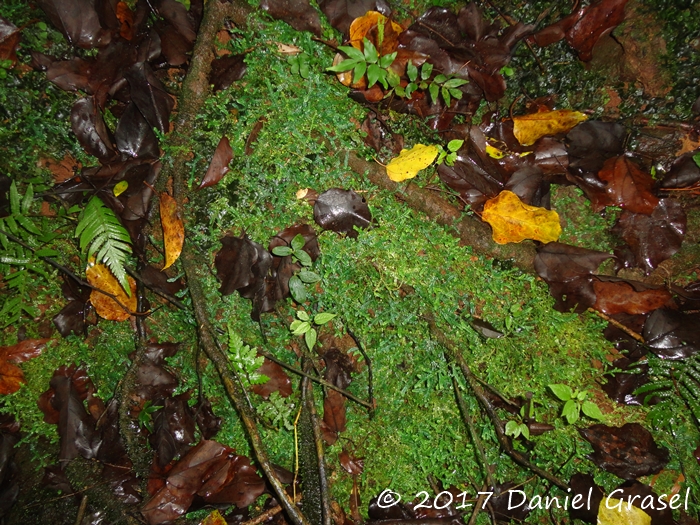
(368, 62)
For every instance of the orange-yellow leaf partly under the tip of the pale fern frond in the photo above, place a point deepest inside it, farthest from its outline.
(99, 276)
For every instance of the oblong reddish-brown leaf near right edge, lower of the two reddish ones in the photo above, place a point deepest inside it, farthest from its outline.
(614, 296)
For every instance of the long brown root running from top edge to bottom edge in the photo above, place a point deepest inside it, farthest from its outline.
(195, 90)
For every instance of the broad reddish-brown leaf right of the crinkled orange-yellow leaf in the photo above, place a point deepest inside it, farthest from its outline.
(627, 186)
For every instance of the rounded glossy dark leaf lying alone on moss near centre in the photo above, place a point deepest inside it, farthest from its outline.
(341, 210)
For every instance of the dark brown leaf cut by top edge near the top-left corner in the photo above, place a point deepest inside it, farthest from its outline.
(77, 20)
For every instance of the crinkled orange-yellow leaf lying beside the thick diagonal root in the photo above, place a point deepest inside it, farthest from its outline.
(514, 221)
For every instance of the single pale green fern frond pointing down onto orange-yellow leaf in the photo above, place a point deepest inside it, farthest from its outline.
(102, 235)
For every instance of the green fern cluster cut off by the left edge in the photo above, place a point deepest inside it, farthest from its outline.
(17, 263)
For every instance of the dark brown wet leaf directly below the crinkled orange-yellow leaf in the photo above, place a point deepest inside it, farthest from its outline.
(568, 272)
